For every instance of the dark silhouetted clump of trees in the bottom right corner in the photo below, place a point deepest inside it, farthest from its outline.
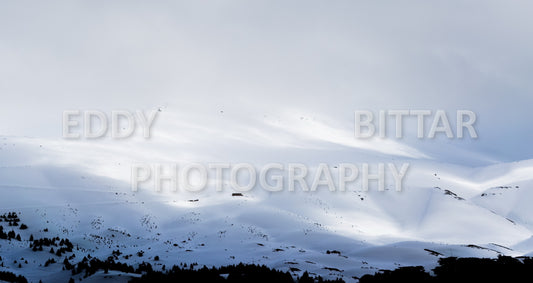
(452, 269)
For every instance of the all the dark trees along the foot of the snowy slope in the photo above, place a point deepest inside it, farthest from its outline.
(486, 270)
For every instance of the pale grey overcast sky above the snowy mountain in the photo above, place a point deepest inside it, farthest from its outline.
(256, 78)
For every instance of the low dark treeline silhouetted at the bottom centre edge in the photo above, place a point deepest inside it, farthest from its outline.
(233, 274)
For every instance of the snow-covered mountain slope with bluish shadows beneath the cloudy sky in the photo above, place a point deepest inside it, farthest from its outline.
(443, 210)
